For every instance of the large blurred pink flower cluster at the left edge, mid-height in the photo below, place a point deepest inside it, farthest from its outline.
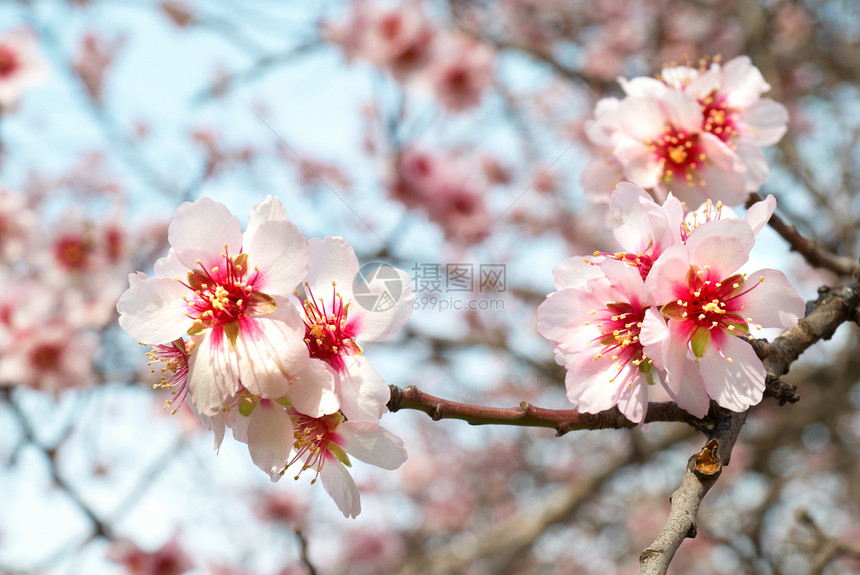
(60, 274)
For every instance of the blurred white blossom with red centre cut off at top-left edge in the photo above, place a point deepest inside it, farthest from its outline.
(20, 67)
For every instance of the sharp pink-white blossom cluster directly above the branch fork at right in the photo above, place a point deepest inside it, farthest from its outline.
(667, 317)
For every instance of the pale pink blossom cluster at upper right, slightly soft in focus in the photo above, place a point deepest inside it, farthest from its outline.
(696, 132)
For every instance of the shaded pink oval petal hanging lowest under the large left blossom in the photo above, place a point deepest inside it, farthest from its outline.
(270, 438)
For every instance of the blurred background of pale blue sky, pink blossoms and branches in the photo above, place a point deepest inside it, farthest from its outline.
(459, 148)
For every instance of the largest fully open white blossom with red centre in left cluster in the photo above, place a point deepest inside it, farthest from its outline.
(230, 293)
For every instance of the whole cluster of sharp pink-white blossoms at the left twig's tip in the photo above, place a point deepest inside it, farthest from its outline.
(260, 331)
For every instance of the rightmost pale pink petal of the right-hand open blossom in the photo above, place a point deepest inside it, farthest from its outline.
(771, 300)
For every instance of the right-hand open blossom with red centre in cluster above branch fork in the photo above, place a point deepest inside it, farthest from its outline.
(706, 303)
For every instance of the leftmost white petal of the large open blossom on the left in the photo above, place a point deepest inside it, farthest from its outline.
(153, 311)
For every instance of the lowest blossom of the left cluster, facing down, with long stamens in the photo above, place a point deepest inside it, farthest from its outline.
(324, 445)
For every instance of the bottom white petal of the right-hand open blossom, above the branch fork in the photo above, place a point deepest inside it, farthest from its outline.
(735, 385)
